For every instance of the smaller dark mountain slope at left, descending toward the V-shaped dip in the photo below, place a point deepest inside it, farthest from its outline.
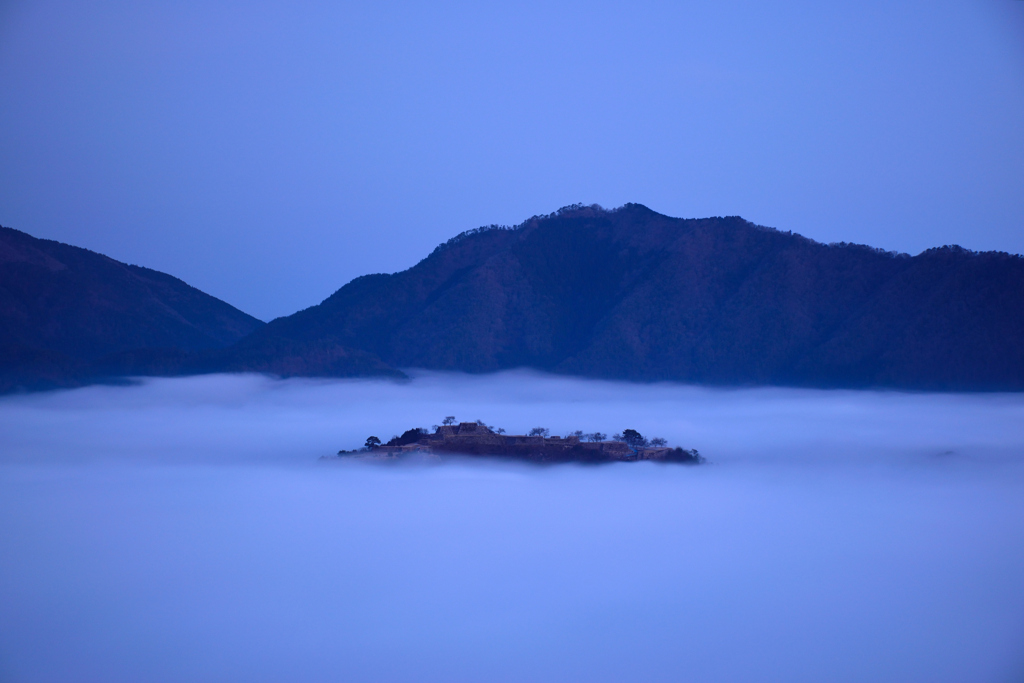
(69, 316)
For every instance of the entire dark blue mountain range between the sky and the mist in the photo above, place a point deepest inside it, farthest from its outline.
(622, 294)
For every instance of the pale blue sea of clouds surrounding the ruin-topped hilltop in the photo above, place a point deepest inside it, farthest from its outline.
(186, 530)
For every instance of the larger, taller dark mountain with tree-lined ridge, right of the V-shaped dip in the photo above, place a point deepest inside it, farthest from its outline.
(633, 294)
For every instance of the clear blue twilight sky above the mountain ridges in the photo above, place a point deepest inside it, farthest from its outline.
(270, 153)
